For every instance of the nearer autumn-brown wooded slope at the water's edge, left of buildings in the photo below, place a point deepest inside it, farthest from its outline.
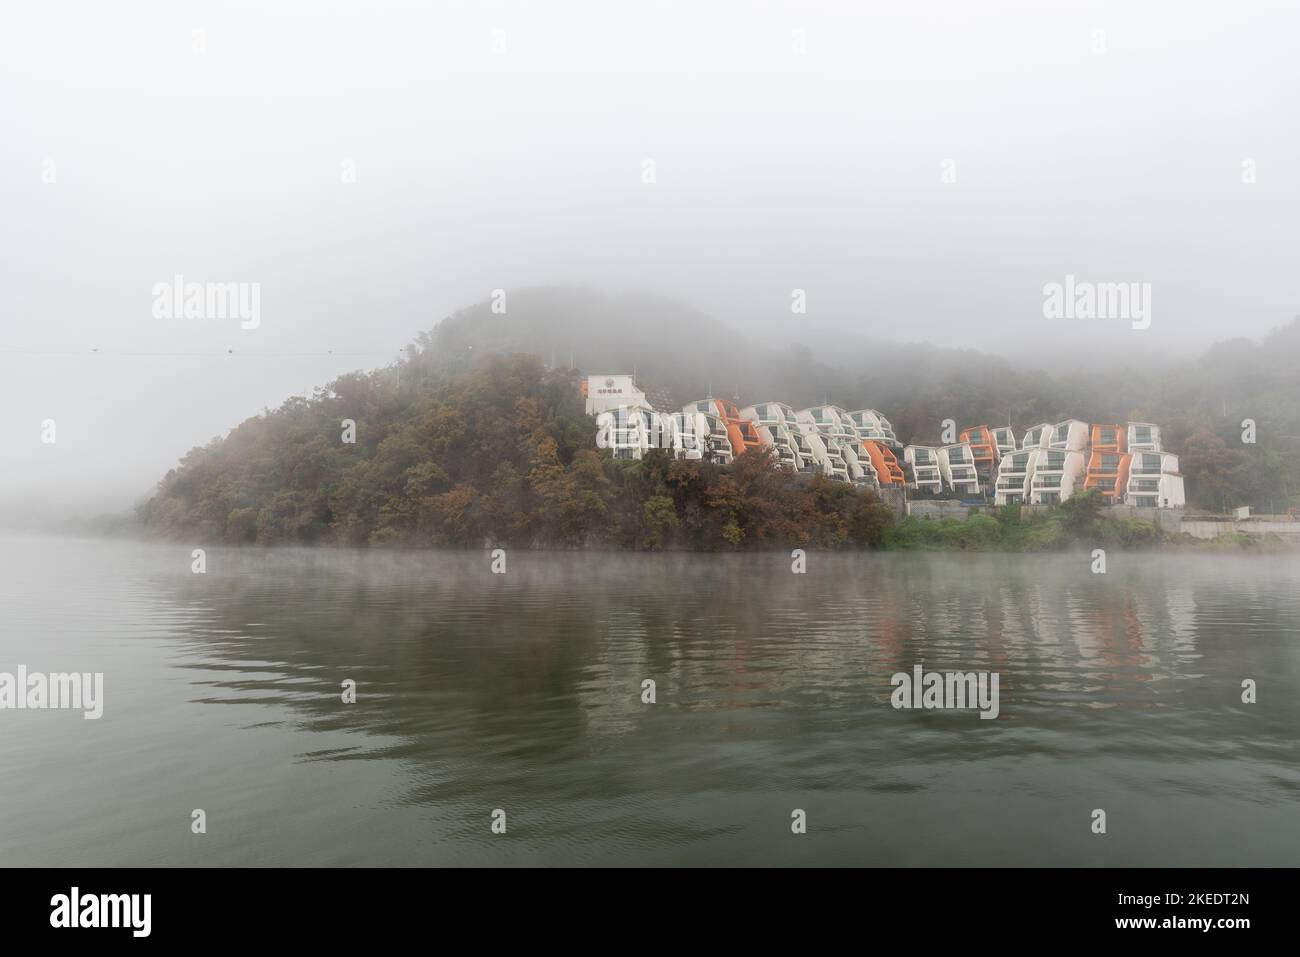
(496, 454)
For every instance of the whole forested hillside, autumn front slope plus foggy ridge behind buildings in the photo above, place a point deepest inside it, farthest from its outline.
(470, 441)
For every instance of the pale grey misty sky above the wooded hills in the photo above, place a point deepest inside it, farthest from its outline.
(479, 170)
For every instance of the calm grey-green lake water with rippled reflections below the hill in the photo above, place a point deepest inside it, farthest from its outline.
(523, 692)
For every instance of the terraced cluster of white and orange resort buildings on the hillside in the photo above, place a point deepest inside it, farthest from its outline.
(1047, 465)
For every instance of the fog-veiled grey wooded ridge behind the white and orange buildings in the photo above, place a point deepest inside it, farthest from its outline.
(1201, 402)
